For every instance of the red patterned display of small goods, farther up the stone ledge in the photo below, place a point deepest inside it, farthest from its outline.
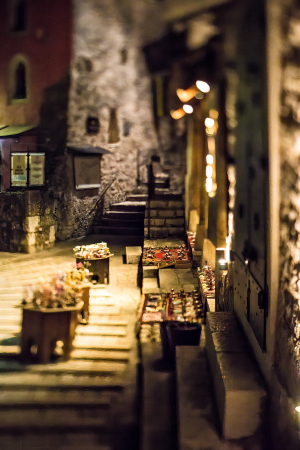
(166, 255)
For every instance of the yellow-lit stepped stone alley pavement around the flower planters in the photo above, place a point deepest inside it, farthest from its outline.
(90, 401)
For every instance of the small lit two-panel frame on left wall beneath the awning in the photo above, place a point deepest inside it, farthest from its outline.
(27, 169)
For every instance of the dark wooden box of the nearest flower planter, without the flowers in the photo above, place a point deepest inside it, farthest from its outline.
(44, 327)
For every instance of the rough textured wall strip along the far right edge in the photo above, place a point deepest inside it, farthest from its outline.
(287, 348)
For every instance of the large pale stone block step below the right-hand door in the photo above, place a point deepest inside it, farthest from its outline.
(239, 390)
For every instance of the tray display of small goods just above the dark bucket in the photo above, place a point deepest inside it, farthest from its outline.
(183, 307)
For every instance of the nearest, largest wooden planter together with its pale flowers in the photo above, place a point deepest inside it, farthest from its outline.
(50, 314)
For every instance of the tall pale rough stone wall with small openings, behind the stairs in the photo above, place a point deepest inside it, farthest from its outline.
(103, 79)
